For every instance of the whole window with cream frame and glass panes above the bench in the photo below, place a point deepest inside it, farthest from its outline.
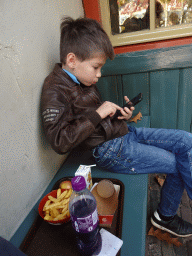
(126, 20)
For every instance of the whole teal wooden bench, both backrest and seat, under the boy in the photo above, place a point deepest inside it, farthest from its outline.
(164, 77)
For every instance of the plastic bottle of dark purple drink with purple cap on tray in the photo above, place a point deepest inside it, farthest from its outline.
(84, 217)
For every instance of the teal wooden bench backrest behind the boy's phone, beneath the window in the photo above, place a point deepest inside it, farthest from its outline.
(164, 76)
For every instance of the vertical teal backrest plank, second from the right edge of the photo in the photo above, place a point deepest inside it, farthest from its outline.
(164, 98)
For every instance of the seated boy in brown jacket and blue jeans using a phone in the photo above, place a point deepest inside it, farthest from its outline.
(73, 114)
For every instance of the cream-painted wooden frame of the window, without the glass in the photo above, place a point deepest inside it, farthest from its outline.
(142, 36)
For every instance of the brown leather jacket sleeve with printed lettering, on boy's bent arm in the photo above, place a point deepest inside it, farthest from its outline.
(63, 128)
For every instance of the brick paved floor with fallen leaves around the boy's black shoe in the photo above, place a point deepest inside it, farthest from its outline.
(156, 247)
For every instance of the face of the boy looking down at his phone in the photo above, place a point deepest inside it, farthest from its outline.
(88, 71)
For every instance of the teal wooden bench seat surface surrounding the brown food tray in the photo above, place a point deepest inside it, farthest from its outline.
(135, 197)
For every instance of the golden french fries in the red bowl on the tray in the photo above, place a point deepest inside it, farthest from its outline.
(57, 208)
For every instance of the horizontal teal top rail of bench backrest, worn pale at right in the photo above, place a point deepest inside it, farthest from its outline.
(152, 60)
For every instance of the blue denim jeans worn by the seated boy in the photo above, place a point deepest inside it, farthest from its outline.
(148, 150)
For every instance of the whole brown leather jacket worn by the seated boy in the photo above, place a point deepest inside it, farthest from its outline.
(69, 114)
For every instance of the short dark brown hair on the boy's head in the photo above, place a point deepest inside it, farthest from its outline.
(83, 37)
